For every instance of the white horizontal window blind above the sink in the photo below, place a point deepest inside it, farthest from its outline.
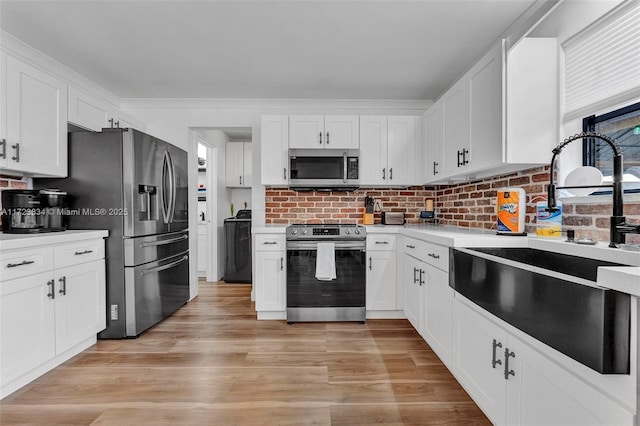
(603, 60)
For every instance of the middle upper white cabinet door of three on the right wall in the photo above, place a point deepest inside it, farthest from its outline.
(455, 127)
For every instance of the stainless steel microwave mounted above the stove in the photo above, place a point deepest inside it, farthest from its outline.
(324, 169)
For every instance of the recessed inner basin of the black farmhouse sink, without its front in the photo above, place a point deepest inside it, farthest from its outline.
(576, 266)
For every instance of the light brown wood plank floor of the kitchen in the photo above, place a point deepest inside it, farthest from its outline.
(213, 363)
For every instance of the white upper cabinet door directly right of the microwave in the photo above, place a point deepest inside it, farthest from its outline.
(373, 150)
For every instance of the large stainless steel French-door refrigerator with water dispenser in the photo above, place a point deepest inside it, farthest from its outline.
(136, 186)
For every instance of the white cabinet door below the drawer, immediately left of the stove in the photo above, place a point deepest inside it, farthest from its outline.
(270, 281)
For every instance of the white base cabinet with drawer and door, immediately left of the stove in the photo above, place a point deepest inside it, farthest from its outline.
(270, 277)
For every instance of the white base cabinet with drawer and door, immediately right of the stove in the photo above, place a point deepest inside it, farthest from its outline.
(381, 273)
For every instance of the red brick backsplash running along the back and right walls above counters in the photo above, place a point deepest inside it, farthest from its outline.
(469, 204)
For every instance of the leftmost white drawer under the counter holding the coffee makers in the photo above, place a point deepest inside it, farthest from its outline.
(24, 262)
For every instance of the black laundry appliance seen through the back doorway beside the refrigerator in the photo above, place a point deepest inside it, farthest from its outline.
(237, 234)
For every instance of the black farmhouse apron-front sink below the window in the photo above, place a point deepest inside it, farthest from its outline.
(552, 297)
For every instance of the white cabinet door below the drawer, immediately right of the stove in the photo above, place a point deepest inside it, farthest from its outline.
(381, 281)
